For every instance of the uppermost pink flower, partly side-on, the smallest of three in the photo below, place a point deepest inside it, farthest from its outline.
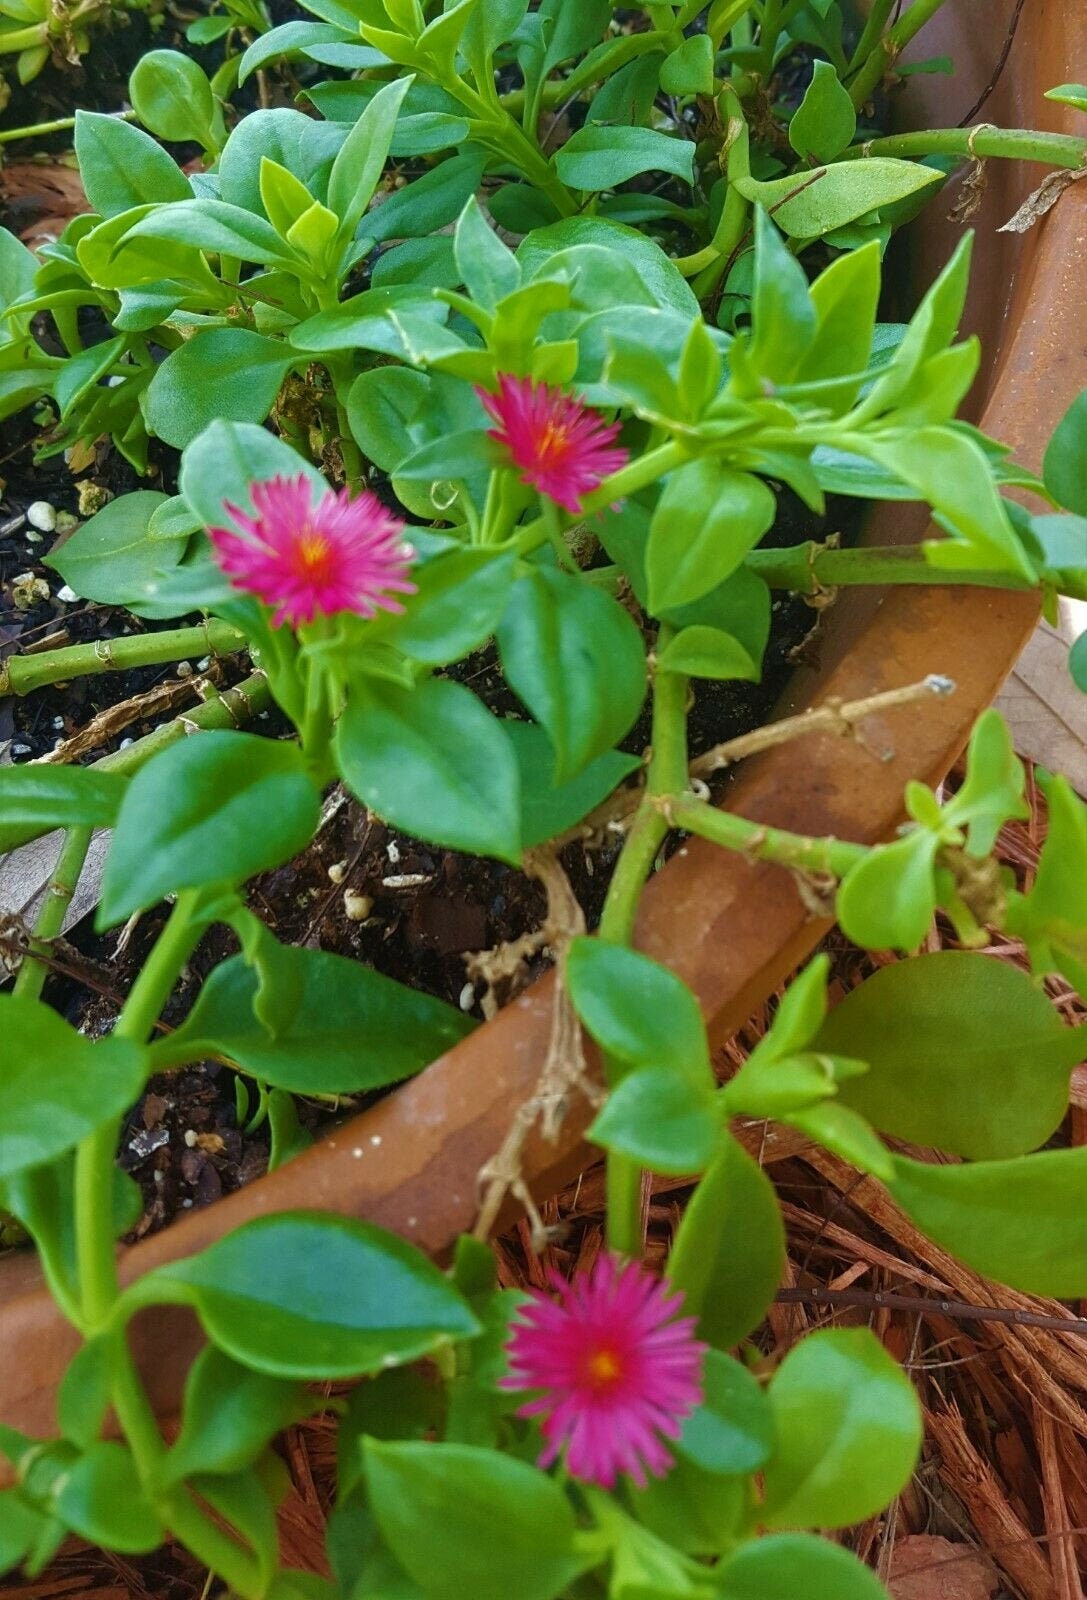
(558, 444)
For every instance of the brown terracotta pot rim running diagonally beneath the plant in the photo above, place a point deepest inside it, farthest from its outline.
(731, 929)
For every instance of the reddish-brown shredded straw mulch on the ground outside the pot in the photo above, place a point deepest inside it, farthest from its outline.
(998, 1508)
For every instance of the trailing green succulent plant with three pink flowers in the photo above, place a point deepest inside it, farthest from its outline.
(519, 342)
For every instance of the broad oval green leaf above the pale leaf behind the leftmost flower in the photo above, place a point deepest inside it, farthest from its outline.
(220, 375)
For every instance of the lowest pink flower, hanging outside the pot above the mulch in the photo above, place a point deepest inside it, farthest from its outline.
(616, 1367)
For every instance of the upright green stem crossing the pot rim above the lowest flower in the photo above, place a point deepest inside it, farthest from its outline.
(667, 774)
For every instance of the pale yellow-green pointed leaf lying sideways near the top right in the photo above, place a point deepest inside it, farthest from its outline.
(808, 206)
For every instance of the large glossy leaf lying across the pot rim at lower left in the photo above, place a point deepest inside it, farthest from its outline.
(300, 1295)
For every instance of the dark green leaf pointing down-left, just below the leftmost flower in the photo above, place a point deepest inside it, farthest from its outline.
(188, 820)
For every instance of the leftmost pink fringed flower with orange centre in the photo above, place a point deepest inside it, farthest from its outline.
(308, 559)
